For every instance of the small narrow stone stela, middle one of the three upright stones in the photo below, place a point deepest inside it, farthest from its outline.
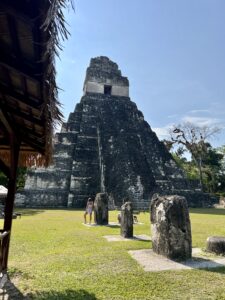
(126, 229)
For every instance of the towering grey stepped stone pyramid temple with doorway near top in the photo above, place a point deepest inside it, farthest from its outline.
(106, 146)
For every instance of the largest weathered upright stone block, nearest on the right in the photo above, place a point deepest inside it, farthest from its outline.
(171, 229)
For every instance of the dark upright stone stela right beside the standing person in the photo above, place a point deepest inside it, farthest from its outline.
(101, 209)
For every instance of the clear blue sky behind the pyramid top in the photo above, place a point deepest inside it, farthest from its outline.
(173, 53)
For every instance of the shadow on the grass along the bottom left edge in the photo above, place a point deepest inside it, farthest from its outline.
(10, 291)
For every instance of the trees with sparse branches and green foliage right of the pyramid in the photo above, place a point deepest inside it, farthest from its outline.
(207, 163)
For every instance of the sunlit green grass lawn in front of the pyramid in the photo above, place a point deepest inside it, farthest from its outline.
(54, 256)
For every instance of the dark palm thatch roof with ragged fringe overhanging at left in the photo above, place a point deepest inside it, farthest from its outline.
(30, 35)
